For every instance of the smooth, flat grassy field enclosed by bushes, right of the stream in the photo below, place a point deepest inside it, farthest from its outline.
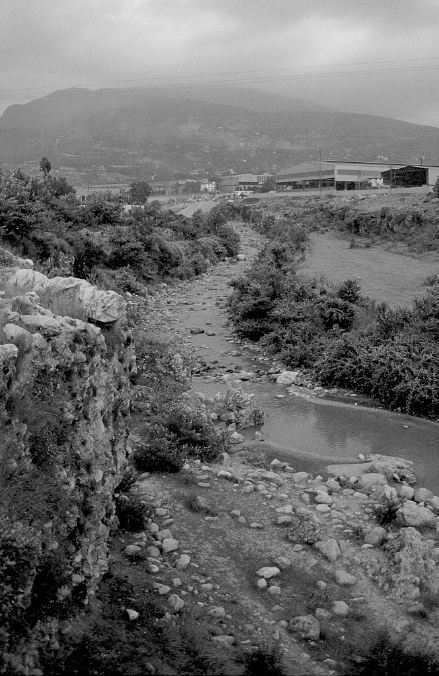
(383, 275)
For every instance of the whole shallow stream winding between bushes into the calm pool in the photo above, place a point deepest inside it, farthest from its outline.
(305, 430)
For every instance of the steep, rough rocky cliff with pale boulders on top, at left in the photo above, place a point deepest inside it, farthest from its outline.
(64, 411)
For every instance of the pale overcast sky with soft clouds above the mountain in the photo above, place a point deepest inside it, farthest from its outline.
(327, 51)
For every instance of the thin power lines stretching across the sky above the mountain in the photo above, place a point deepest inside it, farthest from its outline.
(8, 92)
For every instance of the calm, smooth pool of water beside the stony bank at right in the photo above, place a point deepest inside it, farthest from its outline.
(340, 432)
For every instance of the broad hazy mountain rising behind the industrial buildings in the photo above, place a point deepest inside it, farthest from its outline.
(120, 134)
